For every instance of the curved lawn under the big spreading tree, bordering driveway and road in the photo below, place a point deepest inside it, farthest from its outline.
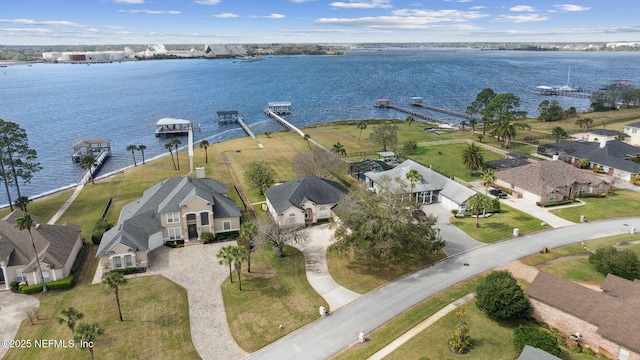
(364, 276)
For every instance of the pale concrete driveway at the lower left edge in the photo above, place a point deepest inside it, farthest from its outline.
(13, 309)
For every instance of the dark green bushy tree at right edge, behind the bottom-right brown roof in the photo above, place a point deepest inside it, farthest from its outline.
(623, 263)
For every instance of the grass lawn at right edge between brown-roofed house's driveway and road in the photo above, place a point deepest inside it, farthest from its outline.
(619, 204)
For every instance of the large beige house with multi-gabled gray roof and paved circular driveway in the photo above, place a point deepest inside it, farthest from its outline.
(179, 208)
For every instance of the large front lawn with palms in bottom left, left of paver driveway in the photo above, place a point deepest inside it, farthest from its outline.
(155, 326)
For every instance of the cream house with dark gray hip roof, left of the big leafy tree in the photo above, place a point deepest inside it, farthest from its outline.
(306, 200)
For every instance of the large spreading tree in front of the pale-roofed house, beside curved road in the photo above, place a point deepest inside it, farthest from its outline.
(379, 226)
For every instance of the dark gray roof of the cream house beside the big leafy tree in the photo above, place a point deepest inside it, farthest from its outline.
(297, 192)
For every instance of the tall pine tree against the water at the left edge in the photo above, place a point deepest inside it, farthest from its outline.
(17, 159)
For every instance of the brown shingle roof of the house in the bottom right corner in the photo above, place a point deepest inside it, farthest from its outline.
(612, 310)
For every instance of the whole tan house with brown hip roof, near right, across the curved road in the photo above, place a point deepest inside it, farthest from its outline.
(548, 181)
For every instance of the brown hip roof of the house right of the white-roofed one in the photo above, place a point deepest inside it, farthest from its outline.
(543, 177)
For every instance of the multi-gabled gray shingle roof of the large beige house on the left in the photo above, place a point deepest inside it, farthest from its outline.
(140, 218)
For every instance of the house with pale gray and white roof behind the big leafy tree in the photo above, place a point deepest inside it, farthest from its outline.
(432, 187)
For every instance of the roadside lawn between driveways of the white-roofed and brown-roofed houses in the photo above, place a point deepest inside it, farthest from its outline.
(499, 226)
